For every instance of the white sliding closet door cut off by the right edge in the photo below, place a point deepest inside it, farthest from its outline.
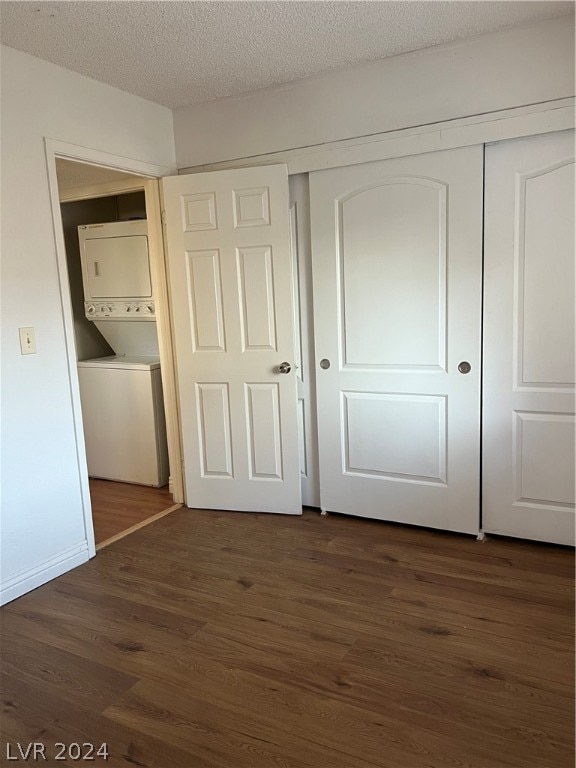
(528, 433)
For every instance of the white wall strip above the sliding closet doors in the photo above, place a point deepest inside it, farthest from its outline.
(504, 69)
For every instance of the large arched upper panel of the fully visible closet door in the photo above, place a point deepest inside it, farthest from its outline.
(392, 250)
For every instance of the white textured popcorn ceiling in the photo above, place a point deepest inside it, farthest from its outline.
(181, 53)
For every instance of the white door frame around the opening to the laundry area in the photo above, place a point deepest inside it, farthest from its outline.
(148, 182)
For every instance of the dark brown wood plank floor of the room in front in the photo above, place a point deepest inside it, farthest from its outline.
(229, 640)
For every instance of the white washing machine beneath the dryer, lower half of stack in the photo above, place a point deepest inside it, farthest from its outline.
(124, 423)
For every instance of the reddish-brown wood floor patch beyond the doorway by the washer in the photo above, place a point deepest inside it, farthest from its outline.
(116, 507)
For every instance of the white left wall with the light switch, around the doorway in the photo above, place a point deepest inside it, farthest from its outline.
(42, 521)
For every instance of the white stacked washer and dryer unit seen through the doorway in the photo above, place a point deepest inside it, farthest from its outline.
(121, 395)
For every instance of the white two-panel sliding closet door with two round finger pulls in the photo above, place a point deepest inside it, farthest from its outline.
(397, 266)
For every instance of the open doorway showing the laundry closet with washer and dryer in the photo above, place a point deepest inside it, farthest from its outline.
(105, 224)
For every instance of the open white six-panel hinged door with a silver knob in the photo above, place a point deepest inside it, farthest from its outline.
(228, 246)
